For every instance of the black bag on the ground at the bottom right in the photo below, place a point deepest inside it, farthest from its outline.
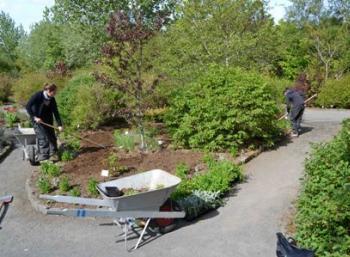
(287, 248)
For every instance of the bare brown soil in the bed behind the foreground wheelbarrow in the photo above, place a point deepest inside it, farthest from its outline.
(92, 159)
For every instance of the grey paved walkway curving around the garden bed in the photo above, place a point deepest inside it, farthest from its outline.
(244, 227)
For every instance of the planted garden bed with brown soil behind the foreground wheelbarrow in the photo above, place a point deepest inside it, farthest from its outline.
(205, 178)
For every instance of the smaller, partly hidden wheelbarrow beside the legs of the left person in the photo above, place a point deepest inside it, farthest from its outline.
(26, 137)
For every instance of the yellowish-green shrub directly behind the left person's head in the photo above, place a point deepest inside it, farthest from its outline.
(27, 85)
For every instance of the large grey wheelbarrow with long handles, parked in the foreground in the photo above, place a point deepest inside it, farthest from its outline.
(142, 205)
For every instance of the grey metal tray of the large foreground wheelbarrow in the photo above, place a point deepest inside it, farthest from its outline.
(146, 201)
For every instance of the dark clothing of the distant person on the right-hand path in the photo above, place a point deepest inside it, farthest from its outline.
(295, 107)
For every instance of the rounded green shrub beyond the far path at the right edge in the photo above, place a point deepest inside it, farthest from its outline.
(335, 94)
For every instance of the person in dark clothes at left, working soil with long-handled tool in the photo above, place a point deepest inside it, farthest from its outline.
(41, 108)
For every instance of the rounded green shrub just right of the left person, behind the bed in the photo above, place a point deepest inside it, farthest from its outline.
(84, 103)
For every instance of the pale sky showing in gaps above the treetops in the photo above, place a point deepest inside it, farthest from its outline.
(28, 12)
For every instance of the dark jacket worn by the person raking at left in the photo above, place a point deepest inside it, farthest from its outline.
(43, 108)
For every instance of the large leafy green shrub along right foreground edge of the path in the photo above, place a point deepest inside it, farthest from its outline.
(323, 208)
